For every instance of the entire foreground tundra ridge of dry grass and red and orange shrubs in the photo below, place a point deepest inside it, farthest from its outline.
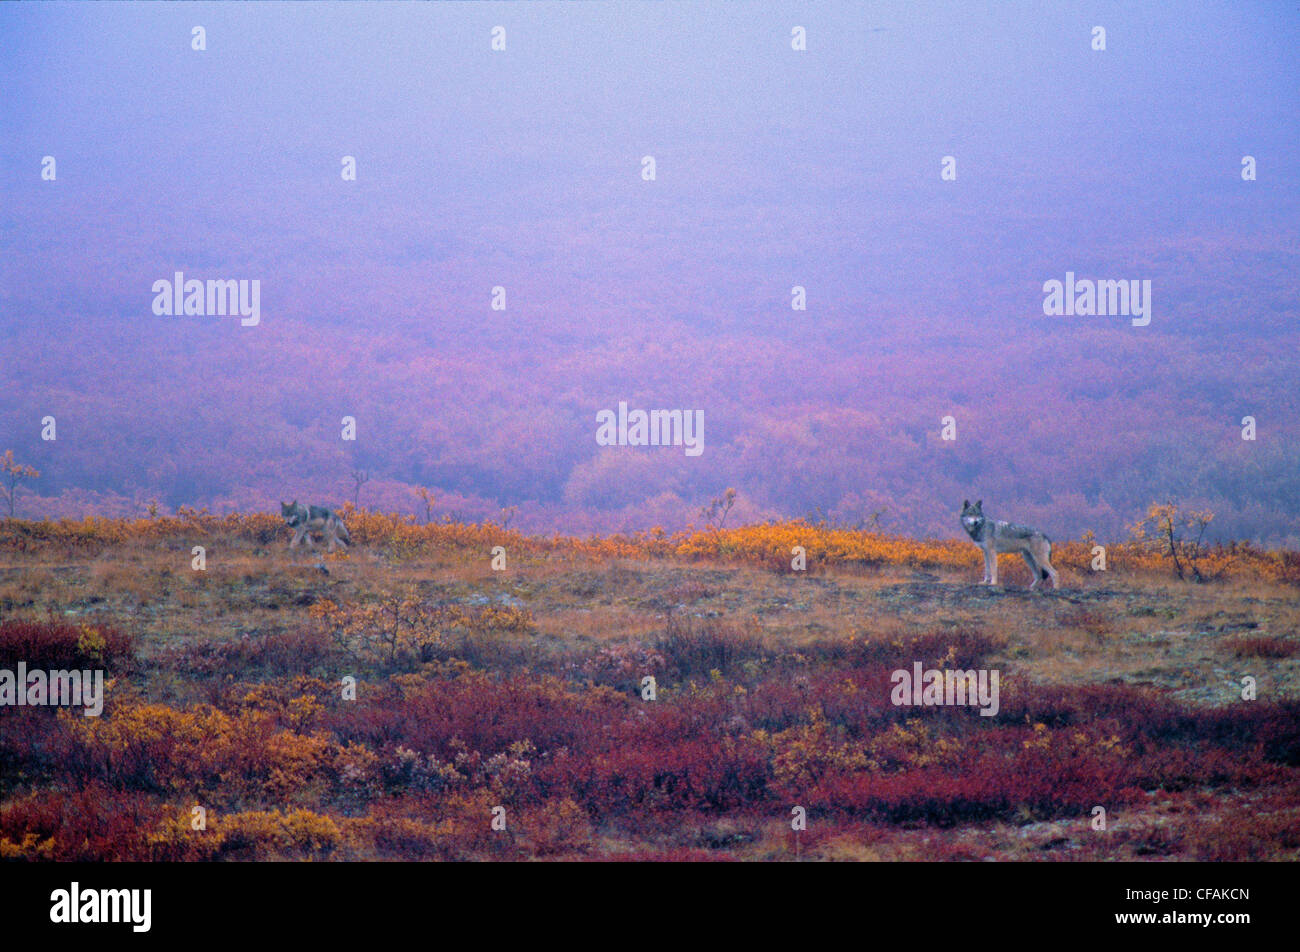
(523, 690)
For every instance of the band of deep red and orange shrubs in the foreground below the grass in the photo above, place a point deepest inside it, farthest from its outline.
(417, 764)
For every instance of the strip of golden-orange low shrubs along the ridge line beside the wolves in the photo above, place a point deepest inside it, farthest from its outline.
(768, 546)
